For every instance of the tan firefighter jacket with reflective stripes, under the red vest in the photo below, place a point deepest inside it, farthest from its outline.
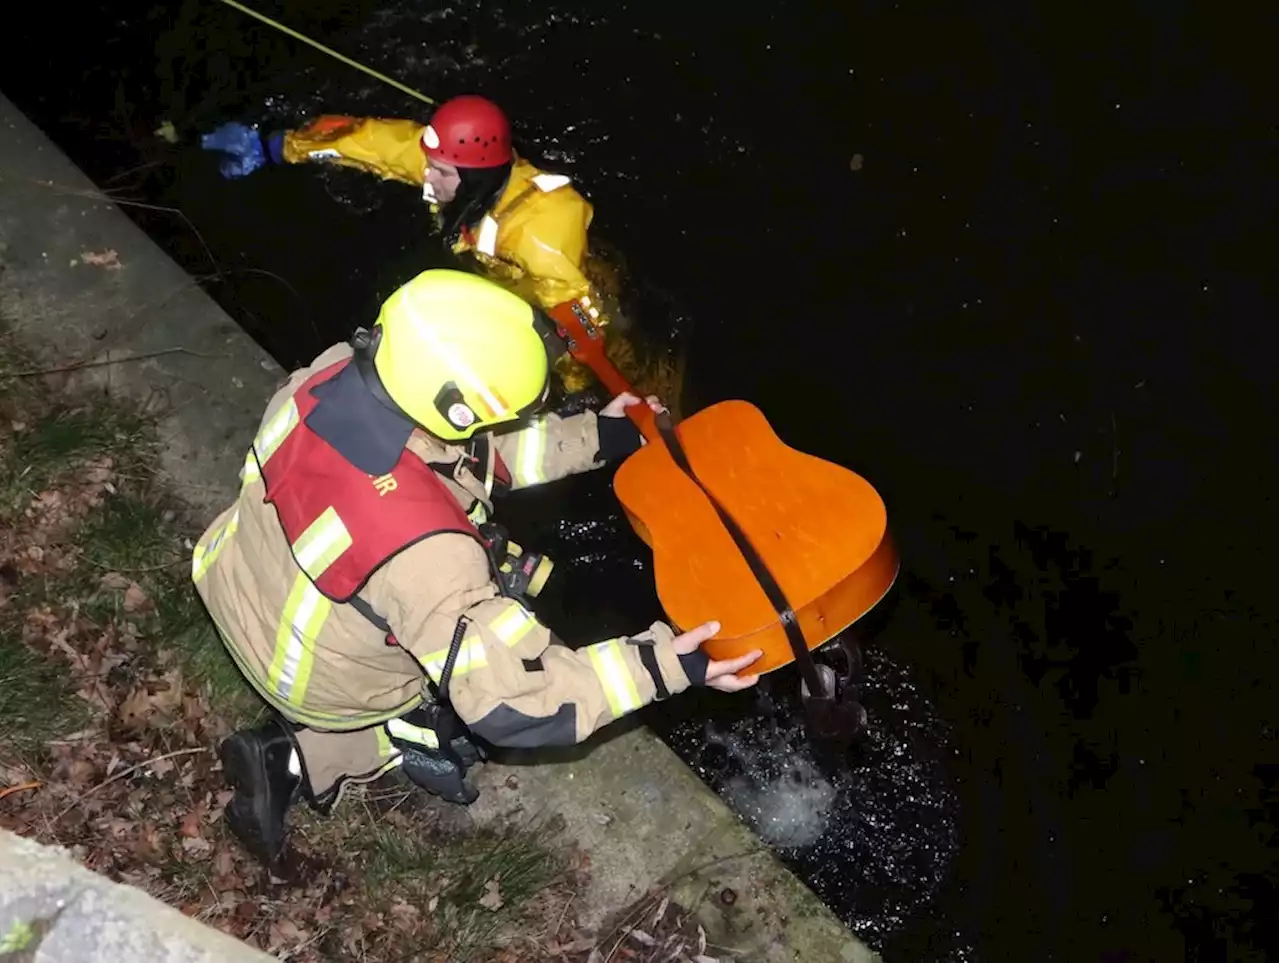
(327, 667)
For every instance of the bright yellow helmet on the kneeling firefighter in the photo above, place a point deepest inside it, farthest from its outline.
(459, 354)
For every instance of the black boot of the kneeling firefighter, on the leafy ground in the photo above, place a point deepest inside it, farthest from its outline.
(257, 765)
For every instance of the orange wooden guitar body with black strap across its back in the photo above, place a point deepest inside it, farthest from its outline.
(821, 531)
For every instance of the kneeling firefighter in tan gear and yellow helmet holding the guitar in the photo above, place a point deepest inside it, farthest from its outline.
(363, 590)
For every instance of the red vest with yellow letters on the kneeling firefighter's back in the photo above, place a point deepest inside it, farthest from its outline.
(307, 478)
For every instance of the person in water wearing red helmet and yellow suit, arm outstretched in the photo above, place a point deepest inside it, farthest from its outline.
(528, 230)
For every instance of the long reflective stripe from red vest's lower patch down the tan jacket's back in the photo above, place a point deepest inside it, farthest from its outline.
(307, 609)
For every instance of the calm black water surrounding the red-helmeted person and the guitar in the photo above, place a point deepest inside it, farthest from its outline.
(1039, 321)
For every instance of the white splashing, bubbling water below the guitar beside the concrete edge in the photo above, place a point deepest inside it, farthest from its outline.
(874, 833)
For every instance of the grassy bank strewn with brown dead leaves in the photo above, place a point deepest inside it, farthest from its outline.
(115, 692)
